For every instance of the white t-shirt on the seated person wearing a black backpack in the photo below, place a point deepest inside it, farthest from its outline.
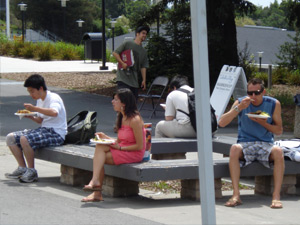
(178, 100)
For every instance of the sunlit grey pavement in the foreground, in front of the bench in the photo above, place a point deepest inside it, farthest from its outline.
(49, 202)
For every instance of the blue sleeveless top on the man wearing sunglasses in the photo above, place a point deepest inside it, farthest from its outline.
(249, 130)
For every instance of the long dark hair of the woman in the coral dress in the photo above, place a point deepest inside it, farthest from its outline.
(126, 97)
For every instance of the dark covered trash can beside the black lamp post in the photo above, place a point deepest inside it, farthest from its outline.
(92, 46)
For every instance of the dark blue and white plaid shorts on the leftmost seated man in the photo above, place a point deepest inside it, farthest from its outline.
(40, 137)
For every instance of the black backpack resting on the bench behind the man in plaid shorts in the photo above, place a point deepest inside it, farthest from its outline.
(81, 127)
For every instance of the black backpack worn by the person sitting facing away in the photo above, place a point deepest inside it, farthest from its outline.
(192, 110)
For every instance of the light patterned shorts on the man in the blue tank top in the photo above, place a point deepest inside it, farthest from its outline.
(256, 151)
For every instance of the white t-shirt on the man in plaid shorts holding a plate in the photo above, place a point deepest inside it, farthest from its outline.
(58, 123)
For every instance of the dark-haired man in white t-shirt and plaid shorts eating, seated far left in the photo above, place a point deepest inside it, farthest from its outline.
(50, 114)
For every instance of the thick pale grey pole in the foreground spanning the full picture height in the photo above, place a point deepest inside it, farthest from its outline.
(202, 94)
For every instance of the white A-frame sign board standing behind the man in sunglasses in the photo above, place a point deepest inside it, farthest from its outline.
(232, 81)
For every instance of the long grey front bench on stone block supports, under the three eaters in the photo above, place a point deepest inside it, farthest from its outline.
(122, 180)
